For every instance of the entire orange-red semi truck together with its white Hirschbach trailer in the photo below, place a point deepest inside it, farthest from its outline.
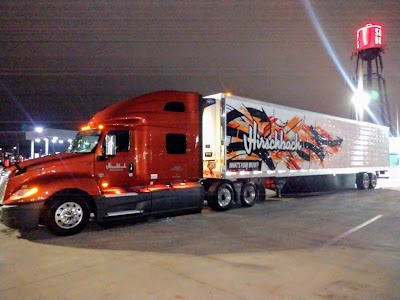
(171, 151)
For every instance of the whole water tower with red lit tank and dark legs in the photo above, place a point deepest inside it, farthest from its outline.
(369, 73)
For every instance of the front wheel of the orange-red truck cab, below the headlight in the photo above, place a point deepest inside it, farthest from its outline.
(67, 216)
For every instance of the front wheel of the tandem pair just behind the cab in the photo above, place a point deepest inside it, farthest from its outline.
(222, 198)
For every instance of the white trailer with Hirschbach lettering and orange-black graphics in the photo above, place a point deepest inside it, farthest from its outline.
(246, 140)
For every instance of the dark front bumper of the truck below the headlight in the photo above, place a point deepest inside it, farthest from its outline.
(22, 216)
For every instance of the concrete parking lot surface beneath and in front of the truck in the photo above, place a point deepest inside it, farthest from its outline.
(327, 246)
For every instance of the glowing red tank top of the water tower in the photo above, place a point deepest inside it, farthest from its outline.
(370, 36)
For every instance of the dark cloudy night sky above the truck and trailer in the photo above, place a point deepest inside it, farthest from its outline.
(61, 61)
